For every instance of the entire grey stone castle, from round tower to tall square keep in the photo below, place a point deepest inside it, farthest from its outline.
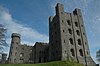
(67, 41)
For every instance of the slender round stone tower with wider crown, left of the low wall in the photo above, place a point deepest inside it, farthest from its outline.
(15, 42)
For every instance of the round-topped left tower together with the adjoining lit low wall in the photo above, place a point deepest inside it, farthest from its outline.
(19, 53)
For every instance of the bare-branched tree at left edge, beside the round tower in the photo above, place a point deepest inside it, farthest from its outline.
(3, 37)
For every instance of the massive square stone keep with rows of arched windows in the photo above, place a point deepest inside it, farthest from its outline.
(67, 37)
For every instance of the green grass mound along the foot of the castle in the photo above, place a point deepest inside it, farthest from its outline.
(55, 63)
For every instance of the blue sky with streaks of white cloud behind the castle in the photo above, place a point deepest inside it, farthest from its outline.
(30, 18)
